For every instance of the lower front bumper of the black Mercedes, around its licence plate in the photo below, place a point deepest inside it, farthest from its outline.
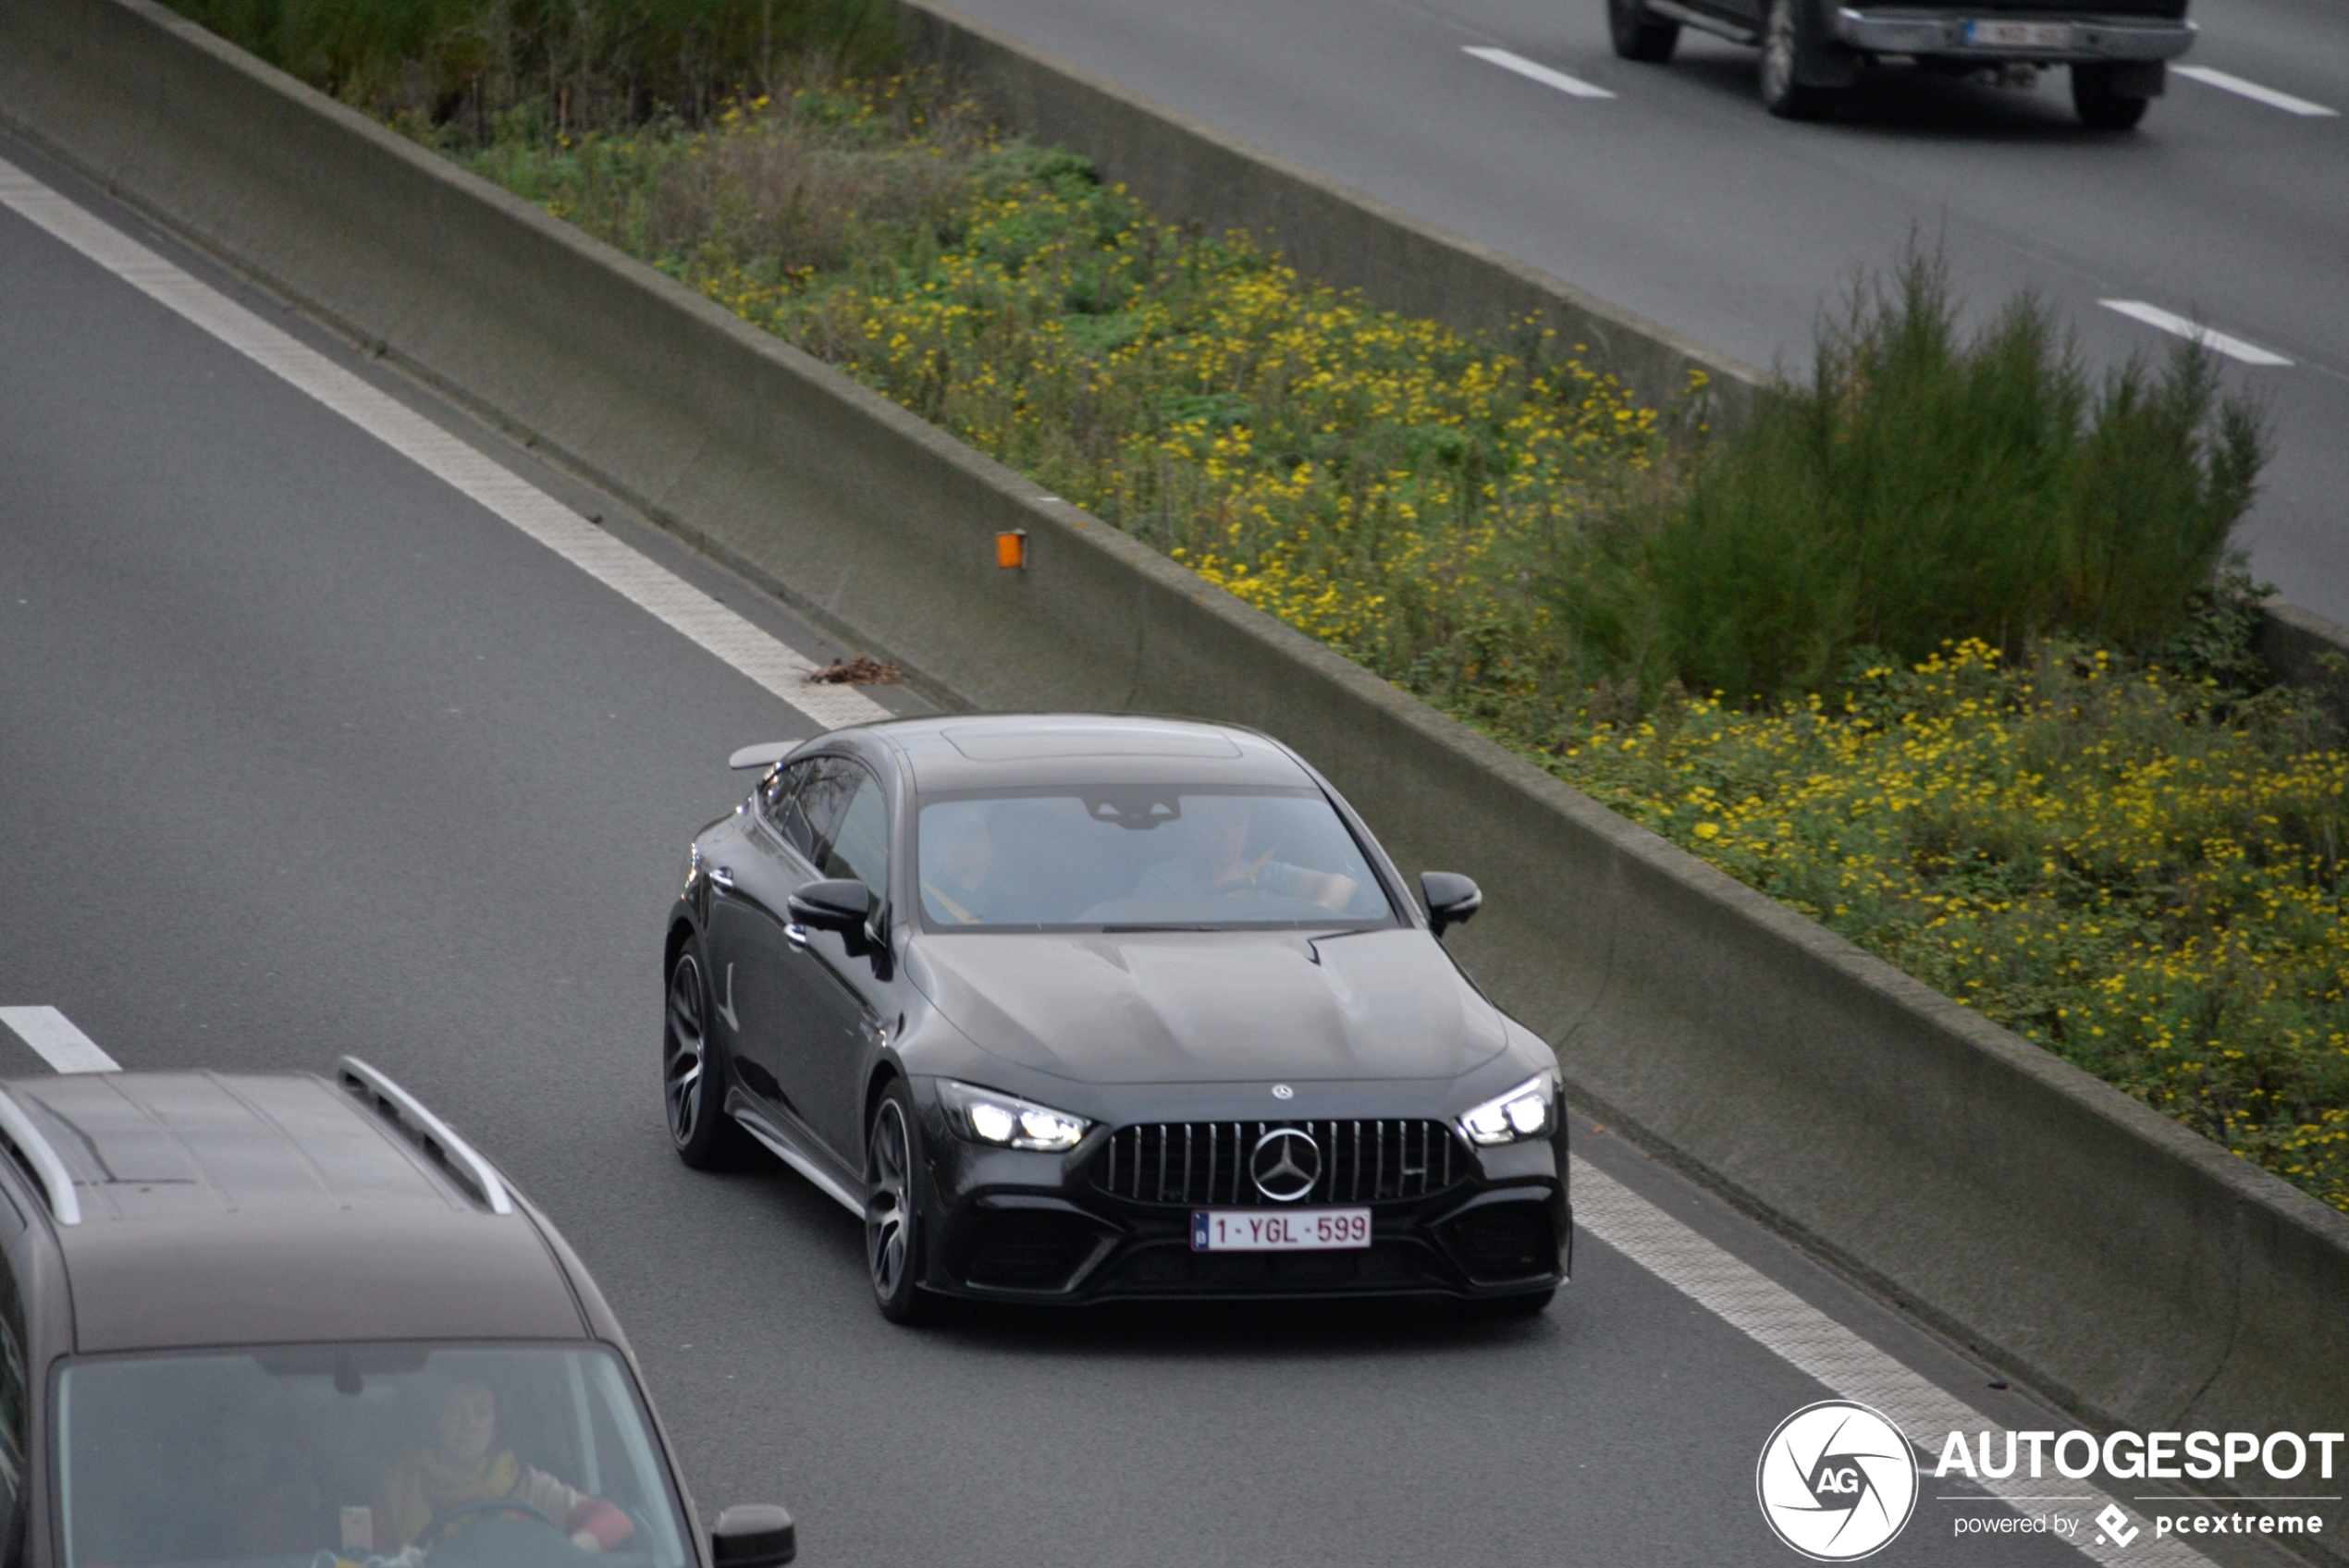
(1042, 1229)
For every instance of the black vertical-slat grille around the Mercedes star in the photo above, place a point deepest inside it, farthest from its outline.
(1206, 1163)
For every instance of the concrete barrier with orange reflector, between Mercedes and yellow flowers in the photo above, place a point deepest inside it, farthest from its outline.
(2120, 1262)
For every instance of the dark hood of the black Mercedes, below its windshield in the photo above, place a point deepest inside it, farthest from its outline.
(1213, 1006)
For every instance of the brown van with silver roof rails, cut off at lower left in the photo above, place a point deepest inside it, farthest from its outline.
(285, 1320)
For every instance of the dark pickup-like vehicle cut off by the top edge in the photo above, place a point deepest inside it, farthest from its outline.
(2118, 50)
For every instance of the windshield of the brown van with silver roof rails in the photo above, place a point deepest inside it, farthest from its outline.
(518, 1457)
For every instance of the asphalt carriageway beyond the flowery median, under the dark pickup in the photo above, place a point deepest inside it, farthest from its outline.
(1683, 201)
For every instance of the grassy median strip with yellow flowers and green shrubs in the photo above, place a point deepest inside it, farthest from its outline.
(1927, 654)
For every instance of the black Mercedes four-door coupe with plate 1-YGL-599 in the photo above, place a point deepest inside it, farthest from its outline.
(1079, 1008)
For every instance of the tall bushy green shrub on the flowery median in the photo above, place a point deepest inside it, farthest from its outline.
(1925, 489)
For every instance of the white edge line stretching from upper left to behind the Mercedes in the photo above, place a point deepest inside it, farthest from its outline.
(440, 454)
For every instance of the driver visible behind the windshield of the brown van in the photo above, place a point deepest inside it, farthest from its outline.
(464, 1468)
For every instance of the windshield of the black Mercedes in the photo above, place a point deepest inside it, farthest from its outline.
(1138, 856)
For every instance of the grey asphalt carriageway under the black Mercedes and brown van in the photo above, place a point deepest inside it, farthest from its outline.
(302, 755)
